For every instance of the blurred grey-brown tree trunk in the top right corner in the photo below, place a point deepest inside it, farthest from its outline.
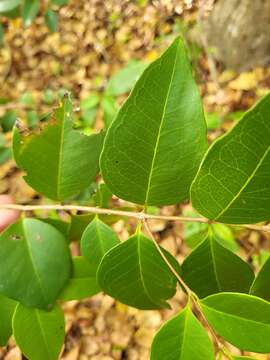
(240, 32)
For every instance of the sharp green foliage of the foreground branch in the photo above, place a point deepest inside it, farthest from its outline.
(154, 153)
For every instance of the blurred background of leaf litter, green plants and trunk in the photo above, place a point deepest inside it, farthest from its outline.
(97, 49)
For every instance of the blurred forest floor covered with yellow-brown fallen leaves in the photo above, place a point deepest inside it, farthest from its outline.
(95, 39)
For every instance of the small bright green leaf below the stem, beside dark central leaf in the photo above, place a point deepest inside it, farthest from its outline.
(97, 239)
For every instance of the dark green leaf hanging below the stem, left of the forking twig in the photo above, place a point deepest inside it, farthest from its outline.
(135, 274)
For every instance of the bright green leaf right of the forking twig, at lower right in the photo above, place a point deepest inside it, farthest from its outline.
(243, 320)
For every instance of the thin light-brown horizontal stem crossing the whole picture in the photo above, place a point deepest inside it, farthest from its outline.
(137, 215)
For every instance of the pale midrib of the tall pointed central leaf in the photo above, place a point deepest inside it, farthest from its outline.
(159, 130)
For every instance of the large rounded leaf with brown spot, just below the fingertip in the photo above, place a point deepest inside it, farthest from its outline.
(34, 263)
